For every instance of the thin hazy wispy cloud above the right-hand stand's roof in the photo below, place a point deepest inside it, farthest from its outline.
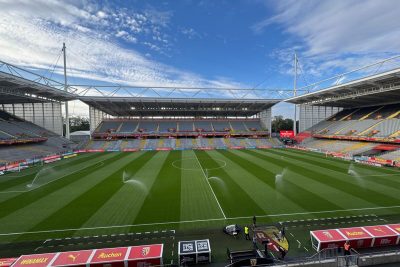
(333, 36)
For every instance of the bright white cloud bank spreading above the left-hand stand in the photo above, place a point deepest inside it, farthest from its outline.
(31, 35)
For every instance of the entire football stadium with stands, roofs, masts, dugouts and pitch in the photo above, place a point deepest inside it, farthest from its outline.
(189, 175)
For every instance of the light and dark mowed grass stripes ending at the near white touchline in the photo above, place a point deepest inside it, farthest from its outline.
(144, 188)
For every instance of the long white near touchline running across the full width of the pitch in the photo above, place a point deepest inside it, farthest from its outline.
(194, 221)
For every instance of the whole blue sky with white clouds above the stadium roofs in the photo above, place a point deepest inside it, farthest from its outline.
(240, 43)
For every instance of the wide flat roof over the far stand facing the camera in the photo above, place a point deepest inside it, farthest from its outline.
(150, 106)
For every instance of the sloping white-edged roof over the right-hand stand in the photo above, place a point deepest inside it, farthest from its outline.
(383, 88)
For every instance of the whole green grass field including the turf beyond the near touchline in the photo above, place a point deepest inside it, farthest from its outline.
(188, 193)
